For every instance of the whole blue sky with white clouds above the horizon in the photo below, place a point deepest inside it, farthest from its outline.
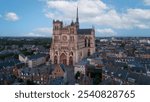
(109, 17)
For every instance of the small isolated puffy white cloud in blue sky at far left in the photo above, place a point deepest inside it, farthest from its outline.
(11, 16)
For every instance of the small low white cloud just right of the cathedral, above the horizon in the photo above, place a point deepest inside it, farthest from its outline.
(106, 32)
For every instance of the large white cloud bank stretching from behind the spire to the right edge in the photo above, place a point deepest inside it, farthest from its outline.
(98, 13)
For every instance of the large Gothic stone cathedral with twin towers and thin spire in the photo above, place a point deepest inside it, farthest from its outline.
(70, 44)
